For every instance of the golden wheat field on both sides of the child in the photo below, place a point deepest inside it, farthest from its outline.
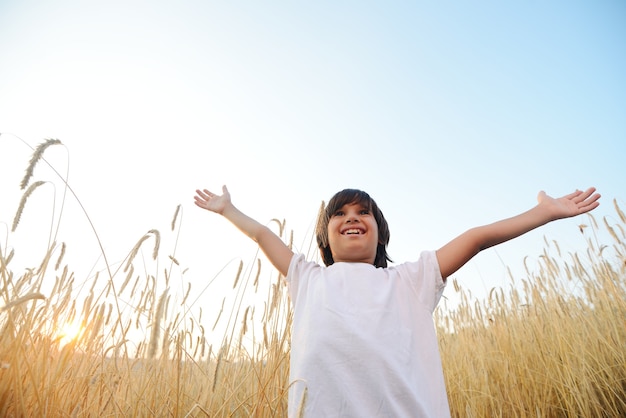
(552, 344)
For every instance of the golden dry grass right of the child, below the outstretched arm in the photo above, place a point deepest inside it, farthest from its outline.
(552, 346)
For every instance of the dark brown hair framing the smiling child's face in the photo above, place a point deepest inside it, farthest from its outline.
(345, 197)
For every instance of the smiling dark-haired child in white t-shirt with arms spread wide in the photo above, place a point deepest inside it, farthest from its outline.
(363, 340)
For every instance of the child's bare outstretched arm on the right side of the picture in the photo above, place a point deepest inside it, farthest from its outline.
(460, 250)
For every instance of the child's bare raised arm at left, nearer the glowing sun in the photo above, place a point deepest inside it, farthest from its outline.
(272, 245)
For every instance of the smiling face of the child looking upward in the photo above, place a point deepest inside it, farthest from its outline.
(353, 234)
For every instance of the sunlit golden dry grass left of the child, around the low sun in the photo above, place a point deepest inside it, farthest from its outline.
(113, 367)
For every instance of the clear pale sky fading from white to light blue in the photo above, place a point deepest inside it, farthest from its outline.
(450, 114)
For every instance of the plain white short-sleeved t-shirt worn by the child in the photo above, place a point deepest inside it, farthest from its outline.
(363, 340)
